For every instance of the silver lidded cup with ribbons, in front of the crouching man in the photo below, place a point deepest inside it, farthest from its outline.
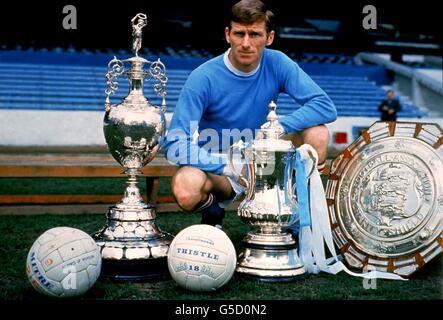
(270, 206)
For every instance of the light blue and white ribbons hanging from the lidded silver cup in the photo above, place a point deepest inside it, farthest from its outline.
(315, 228)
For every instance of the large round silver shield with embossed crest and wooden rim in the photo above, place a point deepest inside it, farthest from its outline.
(385, 197)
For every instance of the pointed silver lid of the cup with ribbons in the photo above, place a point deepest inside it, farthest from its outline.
(270, 133)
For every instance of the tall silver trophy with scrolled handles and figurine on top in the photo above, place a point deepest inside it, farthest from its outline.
(132, 245)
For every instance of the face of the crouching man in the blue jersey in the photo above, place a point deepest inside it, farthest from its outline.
(247, 44)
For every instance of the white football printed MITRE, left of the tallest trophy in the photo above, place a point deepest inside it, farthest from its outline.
(63, 262)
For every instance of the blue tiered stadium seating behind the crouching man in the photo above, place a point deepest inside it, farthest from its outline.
(30, 80)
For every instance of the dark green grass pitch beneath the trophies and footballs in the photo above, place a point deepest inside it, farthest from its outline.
(17, 233)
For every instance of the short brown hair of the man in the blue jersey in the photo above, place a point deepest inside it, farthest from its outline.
(250, 11)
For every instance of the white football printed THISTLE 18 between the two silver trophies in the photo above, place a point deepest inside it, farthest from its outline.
(202, 258)
